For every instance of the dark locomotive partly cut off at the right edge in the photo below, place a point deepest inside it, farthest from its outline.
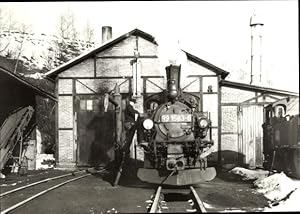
(281, 139)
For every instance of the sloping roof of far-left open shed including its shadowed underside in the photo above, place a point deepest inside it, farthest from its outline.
(8, 77)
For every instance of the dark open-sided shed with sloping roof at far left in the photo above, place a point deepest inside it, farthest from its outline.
(17, 114)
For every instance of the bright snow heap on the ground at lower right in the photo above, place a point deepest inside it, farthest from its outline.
(283, 192)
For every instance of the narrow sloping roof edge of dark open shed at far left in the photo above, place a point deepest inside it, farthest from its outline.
(26, 83)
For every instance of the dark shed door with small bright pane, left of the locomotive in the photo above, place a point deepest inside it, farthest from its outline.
(94, 132)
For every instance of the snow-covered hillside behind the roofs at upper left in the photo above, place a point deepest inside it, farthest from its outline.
(40, 51)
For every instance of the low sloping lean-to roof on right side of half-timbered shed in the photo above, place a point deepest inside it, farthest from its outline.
(255, 88)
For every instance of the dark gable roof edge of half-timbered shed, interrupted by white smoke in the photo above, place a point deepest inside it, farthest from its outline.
(135, 32)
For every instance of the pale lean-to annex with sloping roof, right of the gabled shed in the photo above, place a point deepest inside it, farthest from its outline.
(242, 113)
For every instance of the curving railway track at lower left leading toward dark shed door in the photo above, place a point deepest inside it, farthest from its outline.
(17, 197)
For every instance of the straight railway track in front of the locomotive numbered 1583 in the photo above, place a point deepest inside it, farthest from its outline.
(163, 202)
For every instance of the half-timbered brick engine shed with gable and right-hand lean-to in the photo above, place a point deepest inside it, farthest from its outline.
(84, 132)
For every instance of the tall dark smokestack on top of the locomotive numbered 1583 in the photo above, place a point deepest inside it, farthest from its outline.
(173, 80)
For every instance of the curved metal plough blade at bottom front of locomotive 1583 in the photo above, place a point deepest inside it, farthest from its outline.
(182, 178)
